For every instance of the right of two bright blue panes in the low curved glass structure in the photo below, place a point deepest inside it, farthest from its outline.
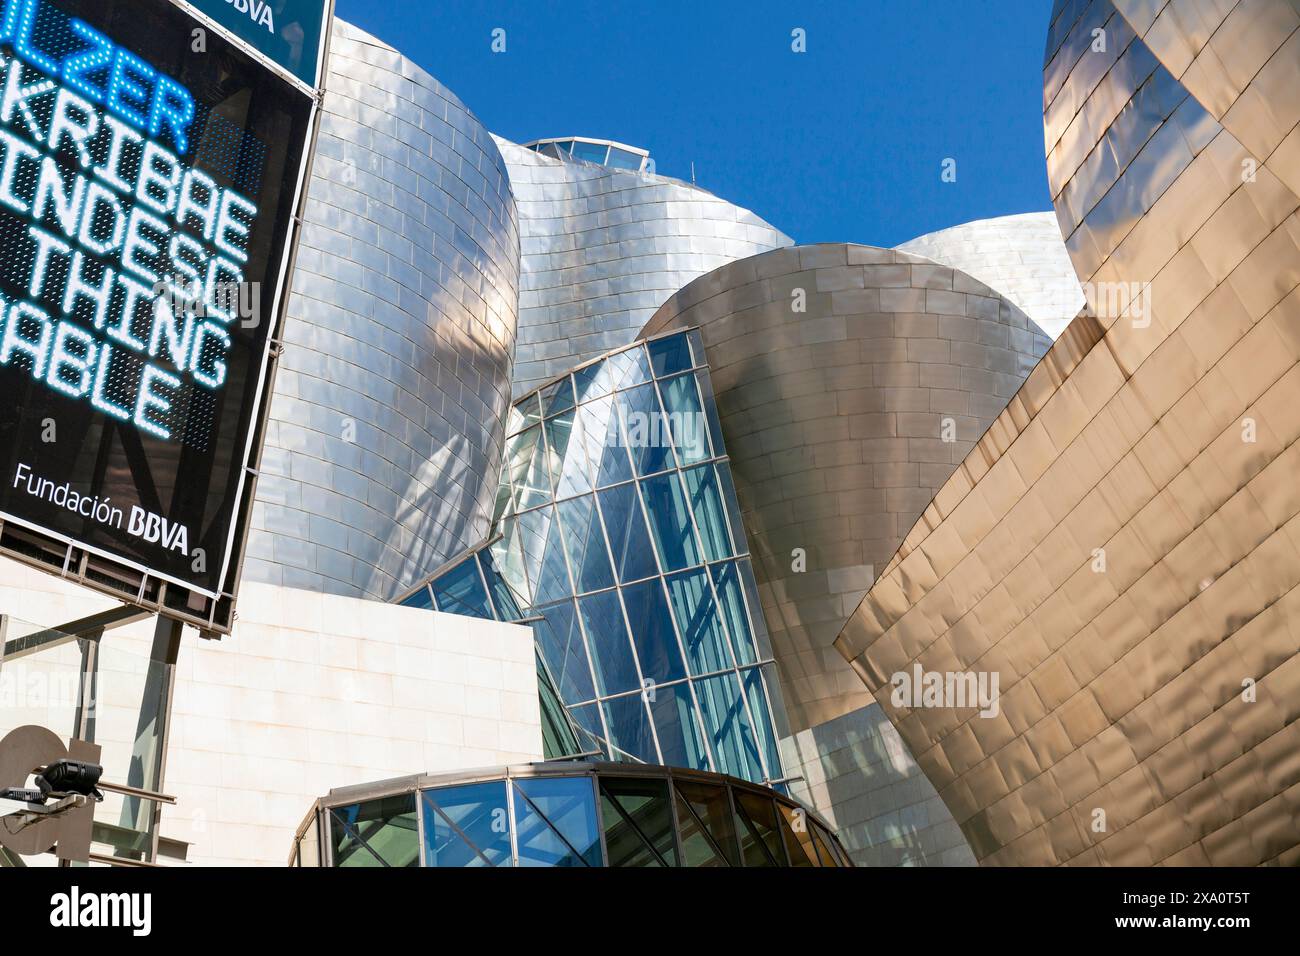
(556, 823)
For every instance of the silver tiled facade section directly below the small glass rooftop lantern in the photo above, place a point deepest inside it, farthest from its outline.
(603, 249)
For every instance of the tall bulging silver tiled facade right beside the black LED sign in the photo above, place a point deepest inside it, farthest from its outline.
(388, 421)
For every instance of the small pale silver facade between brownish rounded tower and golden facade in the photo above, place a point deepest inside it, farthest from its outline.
(1020, 257)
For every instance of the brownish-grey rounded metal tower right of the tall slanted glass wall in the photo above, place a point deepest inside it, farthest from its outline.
(851, 382)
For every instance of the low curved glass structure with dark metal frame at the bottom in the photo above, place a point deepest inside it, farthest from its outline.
(565, 815)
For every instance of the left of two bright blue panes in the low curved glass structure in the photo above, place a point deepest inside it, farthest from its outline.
(467, 827)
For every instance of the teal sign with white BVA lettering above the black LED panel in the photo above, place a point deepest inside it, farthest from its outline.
(289, 33)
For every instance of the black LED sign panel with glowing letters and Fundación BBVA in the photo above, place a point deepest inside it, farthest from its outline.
(149, 179)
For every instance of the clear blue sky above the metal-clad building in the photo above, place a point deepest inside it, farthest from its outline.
(844, 142)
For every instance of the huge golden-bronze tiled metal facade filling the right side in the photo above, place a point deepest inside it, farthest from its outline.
(1124, 548)
